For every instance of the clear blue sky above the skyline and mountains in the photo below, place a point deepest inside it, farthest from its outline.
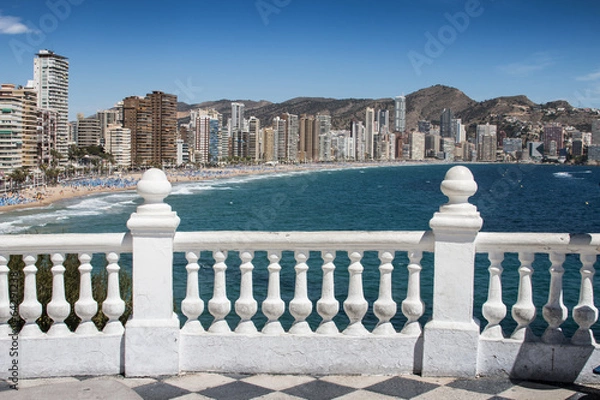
(279, 49)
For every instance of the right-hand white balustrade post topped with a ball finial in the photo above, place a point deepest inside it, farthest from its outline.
(451, 338)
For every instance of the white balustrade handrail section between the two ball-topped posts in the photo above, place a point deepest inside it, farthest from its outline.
(313, 240)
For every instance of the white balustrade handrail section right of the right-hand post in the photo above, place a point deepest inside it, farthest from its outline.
(515, 242)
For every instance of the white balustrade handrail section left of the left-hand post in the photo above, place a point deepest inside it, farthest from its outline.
(66, 243)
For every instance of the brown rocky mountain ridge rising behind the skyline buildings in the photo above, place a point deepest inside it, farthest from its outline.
(511, 113)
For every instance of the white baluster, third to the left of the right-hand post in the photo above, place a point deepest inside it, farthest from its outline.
(355, 304)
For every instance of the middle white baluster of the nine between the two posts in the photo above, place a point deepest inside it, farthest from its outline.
(300, 306)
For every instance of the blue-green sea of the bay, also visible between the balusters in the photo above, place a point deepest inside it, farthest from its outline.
(511, 198)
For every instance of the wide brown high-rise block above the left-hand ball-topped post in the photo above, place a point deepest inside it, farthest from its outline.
(153, 124)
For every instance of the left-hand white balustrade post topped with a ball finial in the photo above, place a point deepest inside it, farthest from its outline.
(152, 333)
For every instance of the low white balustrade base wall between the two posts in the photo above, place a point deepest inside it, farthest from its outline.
(301, 354)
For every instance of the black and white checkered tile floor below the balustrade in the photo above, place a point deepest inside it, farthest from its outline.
(200, 386)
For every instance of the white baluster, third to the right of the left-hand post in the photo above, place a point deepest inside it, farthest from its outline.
(246, 305)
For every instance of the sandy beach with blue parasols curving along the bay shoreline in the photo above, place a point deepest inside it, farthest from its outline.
(45, 195)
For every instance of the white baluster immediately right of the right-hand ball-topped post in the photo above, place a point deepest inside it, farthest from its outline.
(494, 309)
